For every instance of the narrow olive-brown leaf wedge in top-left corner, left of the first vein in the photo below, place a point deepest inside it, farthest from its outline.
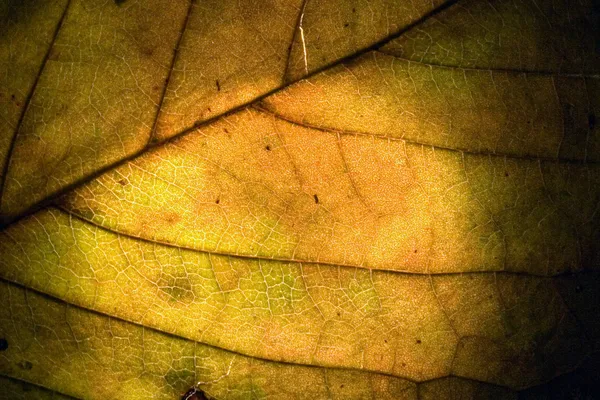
(27, 28)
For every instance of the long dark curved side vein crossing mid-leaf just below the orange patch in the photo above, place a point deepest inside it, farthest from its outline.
(287, 260)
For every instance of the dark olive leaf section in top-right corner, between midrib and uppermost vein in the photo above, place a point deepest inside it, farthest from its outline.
(528, 35)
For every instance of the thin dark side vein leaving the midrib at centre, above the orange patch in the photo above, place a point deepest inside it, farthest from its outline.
(264, 109)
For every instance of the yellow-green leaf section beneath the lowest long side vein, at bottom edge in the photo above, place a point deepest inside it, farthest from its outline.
(93, 356)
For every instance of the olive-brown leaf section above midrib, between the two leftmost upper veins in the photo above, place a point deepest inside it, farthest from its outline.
(96, 98)
